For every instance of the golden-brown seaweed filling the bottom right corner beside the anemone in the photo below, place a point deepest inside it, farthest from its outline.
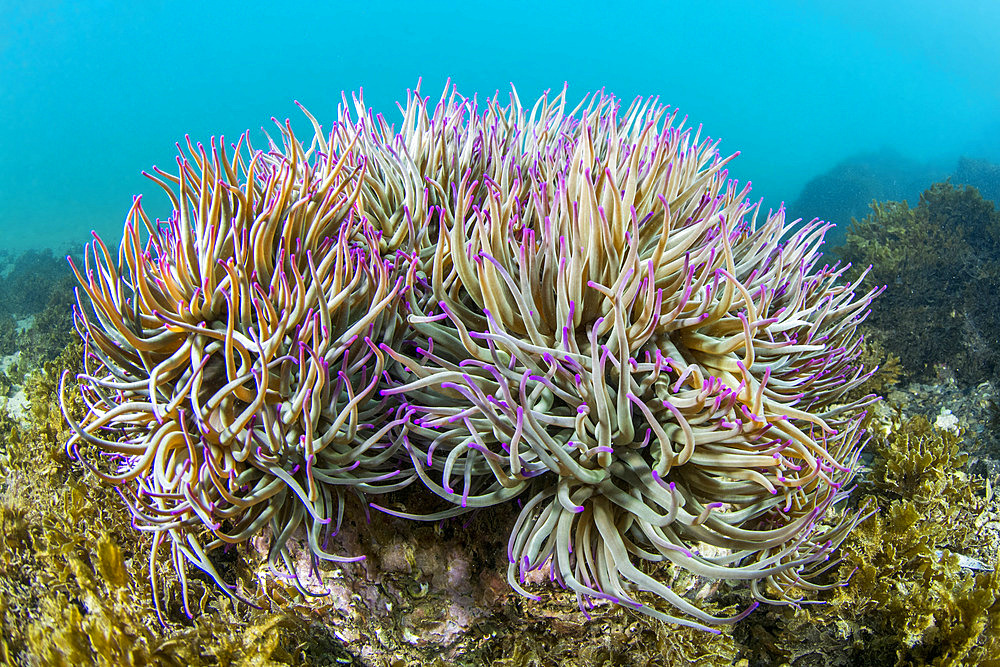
(923, 587)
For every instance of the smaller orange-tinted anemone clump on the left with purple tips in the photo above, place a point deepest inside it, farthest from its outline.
(232, 357)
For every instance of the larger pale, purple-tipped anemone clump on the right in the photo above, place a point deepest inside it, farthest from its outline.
(605, 329)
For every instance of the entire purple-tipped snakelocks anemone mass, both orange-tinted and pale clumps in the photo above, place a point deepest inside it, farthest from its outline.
(573, 308)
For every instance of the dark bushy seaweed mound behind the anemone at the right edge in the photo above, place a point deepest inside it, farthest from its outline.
(941, 263)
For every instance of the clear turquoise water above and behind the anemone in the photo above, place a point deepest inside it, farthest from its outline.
(92, 93)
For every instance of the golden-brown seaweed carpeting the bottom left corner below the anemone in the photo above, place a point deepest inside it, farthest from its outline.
(73, 592)
